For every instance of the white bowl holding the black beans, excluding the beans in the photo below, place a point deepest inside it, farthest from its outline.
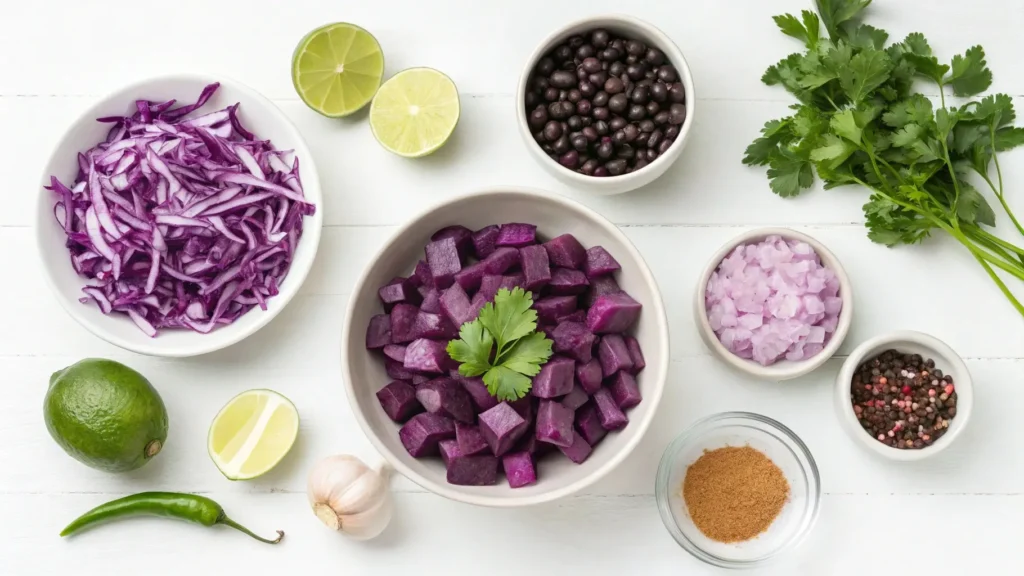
(629, 27)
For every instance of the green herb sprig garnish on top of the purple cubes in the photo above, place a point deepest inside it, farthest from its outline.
(510, 324)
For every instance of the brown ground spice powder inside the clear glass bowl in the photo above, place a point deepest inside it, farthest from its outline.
(735, 493)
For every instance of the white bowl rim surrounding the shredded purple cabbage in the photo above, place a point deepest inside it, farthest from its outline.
(298, 271)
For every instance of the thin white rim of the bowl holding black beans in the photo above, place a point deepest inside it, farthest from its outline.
(675, 58)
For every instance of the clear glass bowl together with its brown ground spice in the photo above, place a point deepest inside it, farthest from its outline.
(738, 489)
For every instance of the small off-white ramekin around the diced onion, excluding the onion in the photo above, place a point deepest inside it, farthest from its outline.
(784, 369)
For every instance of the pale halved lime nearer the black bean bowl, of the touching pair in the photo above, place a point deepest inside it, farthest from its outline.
(415, 112)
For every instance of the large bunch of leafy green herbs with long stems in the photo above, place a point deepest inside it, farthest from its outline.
(861, 122)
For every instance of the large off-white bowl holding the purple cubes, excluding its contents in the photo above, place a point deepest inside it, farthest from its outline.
(364, 372)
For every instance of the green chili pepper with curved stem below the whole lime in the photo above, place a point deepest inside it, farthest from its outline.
(191, 508)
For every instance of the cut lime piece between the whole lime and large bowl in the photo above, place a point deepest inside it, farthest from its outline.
(252, 434)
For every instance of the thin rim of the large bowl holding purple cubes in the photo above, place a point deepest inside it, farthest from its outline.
(659, 372)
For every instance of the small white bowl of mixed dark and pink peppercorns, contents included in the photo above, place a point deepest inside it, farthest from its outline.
(906, 396)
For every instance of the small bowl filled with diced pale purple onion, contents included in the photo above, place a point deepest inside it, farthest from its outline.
(775, 304)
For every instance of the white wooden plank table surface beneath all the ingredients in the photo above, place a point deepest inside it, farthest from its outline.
(957, 513)
